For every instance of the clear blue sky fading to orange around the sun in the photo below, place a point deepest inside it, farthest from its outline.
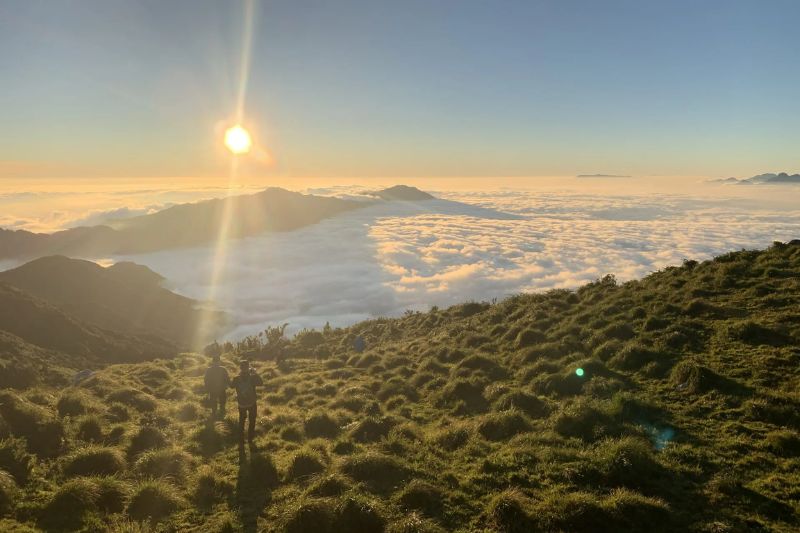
(361, 89)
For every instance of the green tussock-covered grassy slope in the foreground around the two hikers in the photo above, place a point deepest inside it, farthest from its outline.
(465, 419)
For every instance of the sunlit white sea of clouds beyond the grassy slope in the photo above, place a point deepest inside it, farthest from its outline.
(467, 245)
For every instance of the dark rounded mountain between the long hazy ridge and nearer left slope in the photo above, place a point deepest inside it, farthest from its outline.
(125, 297)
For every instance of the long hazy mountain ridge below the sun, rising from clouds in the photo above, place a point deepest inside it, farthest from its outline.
(183, 225)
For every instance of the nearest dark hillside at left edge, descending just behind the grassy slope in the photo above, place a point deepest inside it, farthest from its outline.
(37, 322)
